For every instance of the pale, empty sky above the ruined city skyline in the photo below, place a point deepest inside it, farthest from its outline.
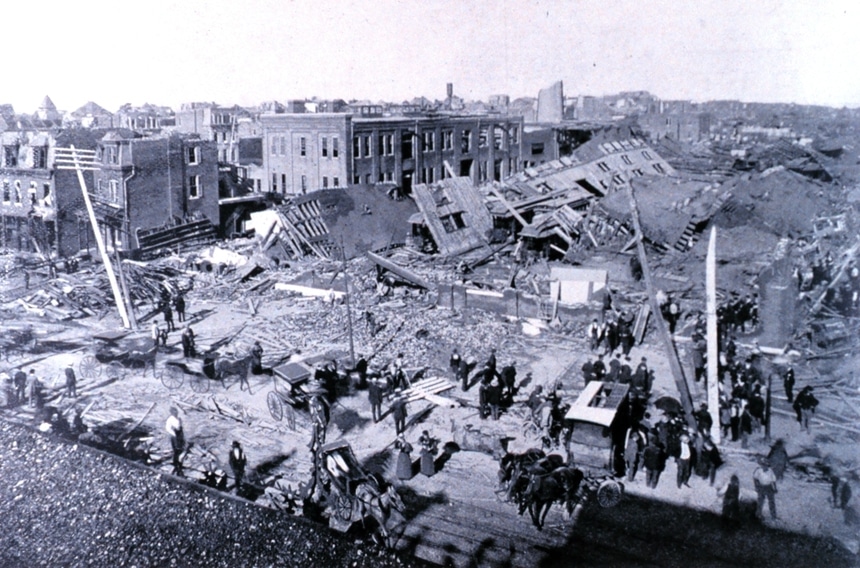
(248, 51)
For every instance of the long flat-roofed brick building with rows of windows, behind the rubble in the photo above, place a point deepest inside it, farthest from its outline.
(307, 152)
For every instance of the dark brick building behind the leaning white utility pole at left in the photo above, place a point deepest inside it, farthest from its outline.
(147, 183)
